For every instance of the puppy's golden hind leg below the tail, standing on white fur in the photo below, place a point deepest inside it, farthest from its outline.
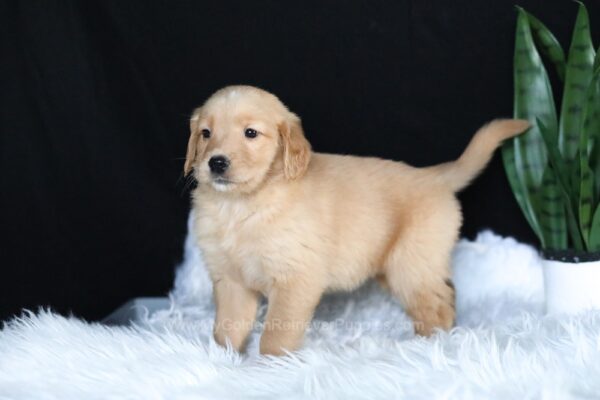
(418, 271)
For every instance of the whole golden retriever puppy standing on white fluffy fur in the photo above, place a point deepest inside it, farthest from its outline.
(274, 218)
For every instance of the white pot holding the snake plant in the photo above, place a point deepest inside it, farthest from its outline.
(571, 287)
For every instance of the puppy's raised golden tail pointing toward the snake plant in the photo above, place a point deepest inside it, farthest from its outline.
(459, 173)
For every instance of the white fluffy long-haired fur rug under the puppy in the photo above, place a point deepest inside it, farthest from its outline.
(360, 346)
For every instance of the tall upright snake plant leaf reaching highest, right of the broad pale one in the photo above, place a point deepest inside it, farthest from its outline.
(577, 78)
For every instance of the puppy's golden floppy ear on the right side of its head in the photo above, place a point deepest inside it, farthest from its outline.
(296, 149)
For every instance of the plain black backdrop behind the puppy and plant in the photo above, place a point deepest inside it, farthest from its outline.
(95, 96)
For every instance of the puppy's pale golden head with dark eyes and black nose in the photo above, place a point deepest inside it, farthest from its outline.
(242, 136)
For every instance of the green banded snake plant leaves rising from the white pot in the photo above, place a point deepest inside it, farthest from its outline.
(554, 168)
